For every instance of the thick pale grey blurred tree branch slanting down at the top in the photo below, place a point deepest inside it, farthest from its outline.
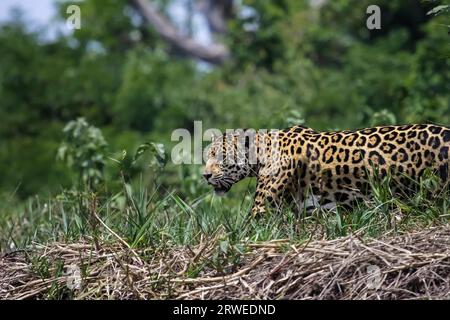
(215, 53)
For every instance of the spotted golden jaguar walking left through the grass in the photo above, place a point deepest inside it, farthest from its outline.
(307, 169)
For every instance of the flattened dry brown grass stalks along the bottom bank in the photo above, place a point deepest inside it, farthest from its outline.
(413, 266)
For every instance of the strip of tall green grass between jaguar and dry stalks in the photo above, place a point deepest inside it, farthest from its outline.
(144, 218)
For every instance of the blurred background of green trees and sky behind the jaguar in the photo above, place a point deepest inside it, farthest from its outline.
(136, 70)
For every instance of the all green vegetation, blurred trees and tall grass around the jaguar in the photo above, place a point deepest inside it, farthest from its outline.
(76, 110)
